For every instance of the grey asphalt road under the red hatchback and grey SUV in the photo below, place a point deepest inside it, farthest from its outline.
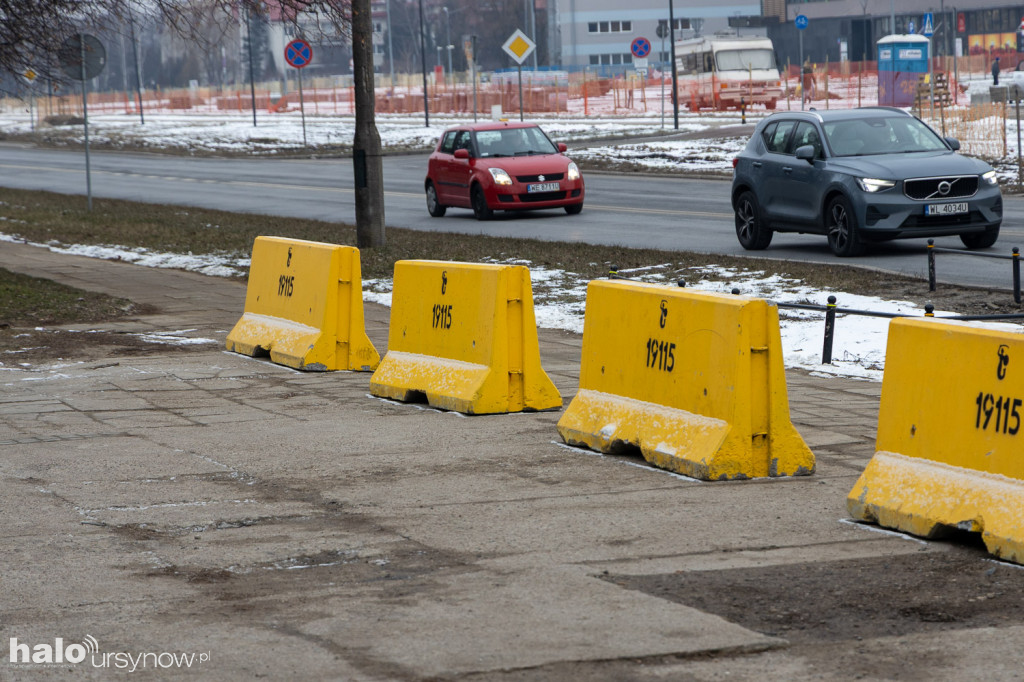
(632, 210)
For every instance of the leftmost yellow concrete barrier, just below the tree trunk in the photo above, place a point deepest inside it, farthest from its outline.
(305, 307)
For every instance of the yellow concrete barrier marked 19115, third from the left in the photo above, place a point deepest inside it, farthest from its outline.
(696, 380)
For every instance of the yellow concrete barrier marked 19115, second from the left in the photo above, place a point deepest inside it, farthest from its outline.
(464, 336)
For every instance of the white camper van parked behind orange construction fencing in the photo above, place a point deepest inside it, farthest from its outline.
(724, 72)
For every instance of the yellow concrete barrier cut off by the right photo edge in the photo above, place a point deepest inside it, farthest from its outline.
(951, 443)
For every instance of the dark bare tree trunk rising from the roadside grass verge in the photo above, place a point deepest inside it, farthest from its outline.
(367, 148)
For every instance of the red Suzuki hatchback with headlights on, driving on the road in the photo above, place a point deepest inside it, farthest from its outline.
(501, 166)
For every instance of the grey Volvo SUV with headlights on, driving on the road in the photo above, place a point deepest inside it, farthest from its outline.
(861, 176)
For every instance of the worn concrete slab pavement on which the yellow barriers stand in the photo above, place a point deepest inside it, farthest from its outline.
(289, 525)
